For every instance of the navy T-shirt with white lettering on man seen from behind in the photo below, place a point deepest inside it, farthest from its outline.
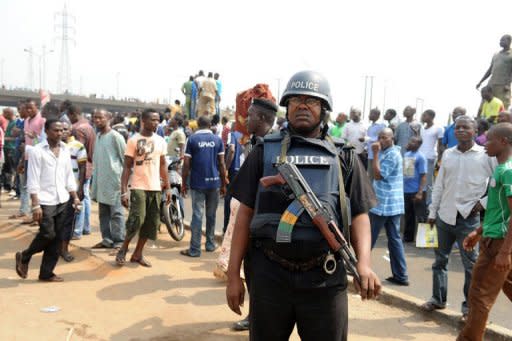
(204, 147)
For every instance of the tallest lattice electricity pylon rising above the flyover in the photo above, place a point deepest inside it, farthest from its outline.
(67, 33)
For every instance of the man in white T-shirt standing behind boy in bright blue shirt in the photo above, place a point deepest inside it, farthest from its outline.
(432, 136)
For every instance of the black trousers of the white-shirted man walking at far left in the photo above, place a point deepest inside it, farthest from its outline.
(47, 239)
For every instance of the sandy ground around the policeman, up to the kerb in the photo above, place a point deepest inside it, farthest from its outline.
(177, 299)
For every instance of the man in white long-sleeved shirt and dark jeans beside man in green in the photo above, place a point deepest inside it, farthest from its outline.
(456, 202)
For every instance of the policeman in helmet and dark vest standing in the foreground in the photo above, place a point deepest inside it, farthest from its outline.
(288, 281)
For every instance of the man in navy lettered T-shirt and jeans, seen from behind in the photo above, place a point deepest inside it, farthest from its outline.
(204, 161)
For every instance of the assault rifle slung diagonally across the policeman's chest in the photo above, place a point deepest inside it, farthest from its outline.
(290, 176)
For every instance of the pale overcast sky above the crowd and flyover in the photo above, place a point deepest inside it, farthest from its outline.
(433, 50)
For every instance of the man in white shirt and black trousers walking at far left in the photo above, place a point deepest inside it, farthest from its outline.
(50, 184)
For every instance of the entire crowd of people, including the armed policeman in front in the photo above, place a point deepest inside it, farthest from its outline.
(386, 174)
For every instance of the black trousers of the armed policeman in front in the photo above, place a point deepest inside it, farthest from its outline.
(277, 304)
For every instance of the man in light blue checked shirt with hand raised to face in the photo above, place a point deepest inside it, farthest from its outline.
(389, 188)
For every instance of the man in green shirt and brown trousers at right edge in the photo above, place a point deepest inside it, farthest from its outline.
(492, 270)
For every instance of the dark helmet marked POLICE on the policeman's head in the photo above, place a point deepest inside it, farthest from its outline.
(308, 83)
